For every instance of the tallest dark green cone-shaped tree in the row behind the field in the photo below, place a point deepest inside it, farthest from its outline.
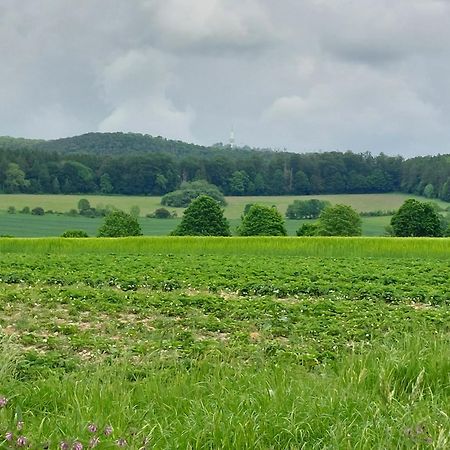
(203, 217)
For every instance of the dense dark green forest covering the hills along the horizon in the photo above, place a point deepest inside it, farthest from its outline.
(135, 164)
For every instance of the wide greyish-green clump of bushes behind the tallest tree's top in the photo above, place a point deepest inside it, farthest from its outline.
(190, 190)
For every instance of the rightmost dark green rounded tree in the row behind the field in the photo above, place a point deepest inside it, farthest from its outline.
(416, 218)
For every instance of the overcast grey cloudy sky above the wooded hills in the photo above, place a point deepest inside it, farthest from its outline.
(300, 75)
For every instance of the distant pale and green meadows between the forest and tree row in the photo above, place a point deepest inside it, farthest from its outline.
(20, 225)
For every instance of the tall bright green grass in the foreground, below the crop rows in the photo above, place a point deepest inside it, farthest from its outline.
(391, 396)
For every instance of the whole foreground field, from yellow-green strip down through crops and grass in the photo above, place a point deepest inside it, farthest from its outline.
(261, 343)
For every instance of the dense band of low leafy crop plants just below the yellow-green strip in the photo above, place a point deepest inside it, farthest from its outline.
(282, 276)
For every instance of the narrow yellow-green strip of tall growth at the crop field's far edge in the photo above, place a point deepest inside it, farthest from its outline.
(309, 246)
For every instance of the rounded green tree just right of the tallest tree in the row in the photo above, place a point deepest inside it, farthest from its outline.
(262, 221)
